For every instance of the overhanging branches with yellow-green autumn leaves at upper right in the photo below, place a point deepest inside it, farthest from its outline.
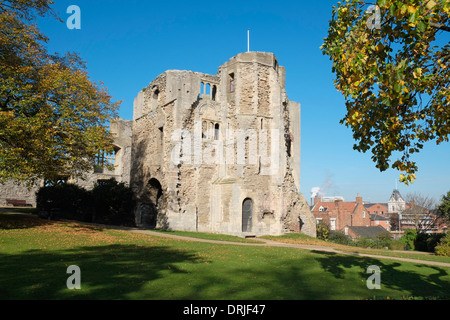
(394, 75)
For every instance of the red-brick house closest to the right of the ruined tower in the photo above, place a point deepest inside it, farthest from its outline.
(338, 214)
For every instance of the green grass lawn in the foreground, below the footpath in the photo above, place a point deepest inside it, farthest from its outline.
(35, 254)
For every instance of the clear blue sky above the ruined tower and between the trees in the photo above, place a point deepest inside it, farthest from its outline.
(128, 43)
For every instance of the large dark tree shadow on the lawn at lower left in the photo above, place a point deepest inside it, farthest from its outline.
(107, 272)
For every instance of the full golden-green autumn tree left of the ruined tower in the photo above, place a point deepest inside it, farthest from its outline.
(53, 118)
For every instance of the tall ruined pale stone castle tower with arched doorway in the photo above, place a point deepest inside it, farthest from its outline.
(220, 153)
